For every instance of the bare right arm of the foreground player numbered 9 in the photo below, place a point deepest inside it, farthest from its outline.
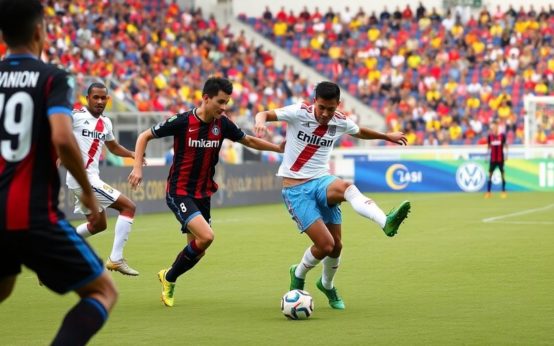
(70, 157)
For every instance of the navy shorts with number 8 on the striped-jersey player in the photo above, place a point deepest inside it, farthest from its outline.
(187, 208)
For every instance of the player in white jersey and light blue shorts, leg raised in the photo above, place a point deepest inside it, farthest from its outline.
(311, 194)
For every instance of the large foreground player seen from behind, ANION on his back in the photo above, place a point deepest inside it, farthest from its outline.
(35, 126)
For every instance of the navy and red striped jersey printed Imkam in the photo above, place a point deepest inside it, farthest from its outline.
(196, 146)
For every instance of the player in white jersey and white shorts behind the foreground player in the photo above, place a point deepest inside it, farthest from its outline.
(93, 130)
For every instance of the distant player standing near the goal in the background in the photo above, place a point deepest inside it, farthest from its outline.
(497, 153)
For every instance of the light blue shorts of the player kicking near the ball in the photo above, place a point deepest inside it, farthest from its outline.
(307, 203)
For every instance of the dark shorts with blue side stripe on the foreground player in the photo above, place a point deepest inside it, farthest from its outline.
(61, 258)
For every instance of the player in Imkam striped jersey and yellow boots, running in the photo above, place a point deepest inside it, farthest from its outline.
(197, 137)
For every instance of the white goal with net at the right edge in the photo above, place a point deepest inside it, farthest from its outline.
(539, 120)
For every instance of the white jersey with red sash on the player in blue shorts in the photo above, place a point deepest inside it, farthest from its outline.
(309, 143)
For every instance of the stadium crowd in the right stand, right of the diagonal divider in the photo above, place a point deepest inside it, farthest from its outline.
(441, 77)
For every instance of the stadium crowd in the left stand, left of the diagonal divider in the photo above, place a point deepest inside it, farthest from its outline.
(159, 55)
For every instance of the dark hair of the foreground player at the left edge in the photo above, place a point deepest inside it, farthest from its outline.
(18, 19)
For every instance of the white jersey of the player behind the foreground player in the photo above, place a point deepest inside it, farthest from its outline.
(91, 133)
